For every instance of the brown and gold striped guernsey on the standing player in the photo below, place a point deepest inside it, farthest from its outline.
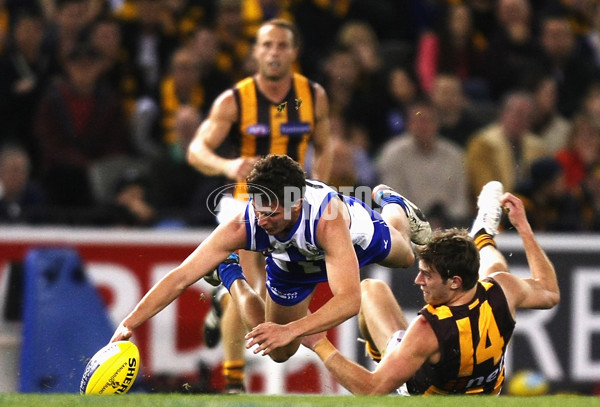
(266, 127)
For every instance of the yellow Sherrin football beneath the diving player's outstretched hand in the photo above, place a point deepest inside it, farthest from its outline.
(112, 370)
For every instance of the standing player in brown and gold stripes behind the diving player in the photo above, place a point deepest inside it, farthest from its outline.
(275, 111)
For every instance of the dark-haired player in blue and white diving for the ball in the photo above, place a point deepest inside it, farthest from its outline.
(309, 233)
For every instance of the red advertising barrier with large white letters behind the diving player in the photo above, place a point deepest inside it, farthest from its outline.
(125, 264)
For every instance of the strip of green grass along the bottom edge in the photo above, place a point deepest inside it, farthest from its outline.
(256, 400)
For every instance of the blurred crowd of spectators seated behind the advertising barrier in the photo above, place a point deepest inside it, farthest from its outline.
(99, 100)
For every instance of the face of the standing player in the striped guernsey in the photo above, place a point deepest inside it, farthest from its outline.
(274, 52)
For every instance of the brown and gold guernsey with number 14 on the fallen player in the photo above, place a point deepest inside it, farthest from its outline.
(477, 333)
